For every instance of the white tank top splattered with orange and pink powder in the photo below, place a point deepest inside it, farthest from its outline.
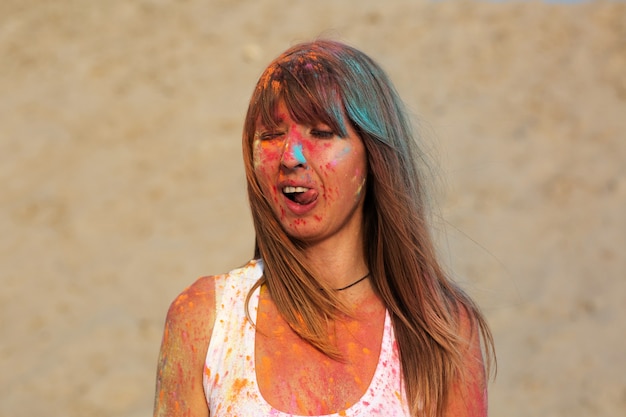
(229, 376)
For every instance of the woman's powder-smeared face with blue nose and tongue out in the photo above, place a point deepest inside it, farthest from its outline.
(313, 179)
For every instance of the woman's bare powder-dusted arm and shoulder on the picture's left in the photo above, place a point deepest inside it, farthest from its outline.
(186, 337)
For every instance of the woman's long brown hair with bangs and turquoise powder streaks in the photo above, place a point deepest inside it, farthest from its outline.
(330, 82)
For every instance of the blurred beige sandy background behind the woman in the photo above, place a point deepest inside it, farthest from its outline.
(121, 181)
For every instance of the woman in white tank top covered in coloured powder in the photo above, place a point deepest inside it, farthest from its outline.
(345, 309)
